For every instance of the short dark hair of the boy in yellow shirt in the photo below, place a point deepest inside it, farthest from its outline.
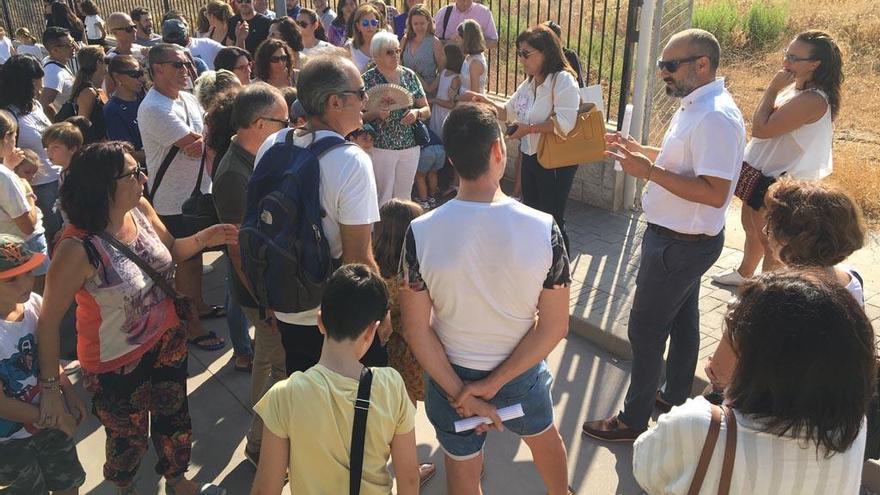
(354, 298)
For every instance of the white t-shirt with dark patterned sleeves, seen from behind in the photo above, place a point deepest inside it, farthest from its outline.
(484, 266)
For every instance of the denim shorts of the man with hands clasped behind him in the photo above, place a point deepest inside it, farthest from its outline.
(530, 389)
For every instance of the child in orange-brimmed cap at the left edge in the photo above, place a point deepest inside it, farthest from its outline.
(35, 460)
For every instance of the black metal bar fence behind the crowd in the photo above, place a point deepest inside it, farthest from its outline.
(597, 30)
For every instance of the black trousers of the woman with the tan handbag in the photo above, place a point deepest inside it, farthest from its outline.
(547, 190)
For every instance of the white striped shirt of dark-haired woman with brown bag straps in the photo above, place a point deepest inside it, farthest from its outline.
(665, 458)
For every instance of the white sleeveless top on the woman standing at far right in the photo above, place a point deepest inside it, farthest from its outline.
(803, 154)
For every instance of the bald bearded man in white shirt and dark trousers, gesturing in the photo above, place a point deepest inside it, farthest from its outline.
(691, 179)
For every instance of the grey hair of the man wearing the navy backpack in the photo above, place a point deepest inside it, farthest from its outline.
(321, 77)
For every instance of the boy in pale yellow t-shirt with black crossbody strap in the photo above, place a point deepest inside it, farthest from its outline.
(308, 417)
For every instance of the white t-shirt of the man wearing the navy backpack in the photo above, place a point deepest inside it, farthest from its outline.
(348, 196)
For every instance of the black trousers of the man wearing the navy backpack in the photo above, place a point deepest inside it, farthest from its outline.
(302, 348)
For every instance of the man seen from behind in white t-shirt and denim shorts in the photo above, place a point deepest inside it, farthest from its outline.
(484, 301)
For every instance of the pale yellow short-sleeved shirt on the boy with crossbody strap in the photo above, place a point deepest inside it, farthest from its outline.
(314, 410)
